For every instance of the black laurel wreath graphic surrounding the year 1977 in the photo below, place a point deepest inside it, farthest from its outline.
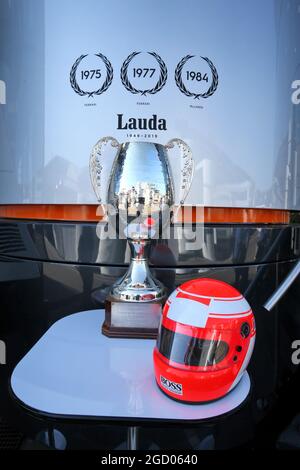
(160, 83)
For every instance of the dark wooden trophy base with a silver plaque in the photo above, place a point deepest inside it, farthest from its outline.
(131, 319)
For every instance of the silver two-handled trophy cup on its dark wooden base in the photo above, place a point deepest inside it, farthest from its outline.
(141, 191)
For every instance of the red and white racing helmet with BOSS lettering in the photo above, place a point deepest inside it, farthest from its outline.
(205, 341)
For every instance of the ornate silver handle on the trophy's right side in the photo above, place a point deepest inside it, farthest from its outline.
(187, 167)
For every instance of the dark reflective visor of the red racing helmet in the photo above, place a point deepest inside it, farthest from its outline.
(191, 351)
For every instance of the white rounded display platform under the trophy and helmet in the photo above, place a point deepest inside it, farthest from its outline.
(73, 370)
